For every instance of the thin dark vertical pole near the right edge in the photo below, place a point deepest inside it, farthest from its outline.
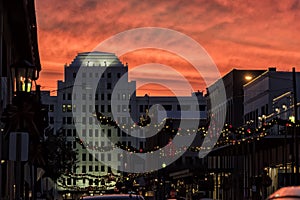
(296, 152)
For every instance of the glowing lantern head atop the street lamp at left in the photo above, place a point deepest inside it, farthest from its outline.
(23, 73)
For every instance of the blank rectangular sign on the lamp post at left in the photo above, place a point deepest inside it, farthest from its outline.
(18, 146)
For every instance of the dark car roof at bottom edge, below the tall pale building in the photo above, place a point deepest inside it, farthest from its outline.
(114, 197)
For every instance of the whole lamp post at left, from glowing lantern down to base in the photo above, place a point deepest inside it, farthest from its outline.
(23, 73)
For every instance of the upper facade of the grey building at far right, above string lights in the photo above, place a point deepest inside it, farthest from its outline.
(260, 93)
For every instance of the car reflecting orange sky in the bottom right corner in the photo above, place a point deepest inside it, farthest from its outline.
(286, 193)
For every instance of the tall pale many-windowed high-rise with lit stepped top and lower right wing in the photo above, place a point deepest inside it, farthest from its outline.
(78, 101)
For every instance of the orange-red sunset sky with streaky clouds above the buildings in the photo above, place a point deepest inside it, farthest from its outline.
(243, 34)
